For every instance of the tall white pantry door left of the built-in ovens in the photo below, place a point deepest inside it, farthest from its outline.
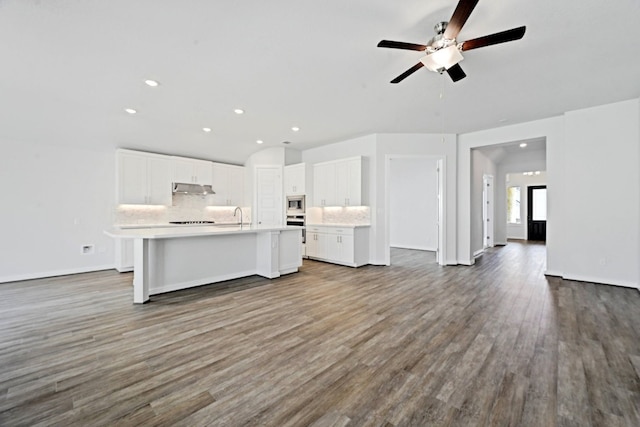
(269, 204)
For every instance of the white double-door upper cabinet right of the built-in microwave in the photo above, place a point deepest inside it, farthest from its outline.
(338, 183)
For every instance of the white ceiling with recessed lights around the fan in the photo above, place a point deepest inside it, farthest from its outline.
(70, 67)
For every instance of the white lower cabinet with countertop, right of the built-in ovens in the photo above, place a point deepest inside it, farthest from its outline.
(339, 245)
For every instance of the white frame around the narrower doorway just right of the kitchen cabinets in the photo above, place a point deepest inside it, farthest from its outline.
(441, 252)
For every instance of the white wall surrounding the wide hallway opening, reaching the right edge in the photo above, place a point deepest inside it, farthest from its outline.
(590, 151)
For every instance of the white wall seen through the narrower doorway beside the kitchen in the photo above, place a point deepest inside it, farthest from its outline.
(413, 203)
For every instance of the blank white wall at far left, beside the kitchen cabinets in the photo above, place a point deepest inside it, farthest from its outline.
(55, 200)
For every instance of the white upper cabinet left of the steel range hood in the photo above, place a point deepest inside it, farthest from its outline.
(143, 178)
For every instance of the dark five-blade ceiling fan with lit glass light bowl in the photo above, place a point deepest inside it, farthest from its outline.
(443, 51)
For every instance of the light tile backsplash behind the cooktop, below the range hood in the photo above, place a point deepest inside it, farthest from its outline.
(185, 207)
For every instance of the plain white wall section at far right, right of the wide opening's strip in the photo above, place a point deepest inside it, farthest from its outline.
(602, 179)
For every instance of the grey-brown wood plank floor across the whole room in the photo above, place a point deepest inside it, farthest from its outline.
(413, 344)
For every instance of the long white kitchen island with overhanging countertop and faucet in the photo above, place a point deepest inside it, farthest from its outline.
(171, 258)
